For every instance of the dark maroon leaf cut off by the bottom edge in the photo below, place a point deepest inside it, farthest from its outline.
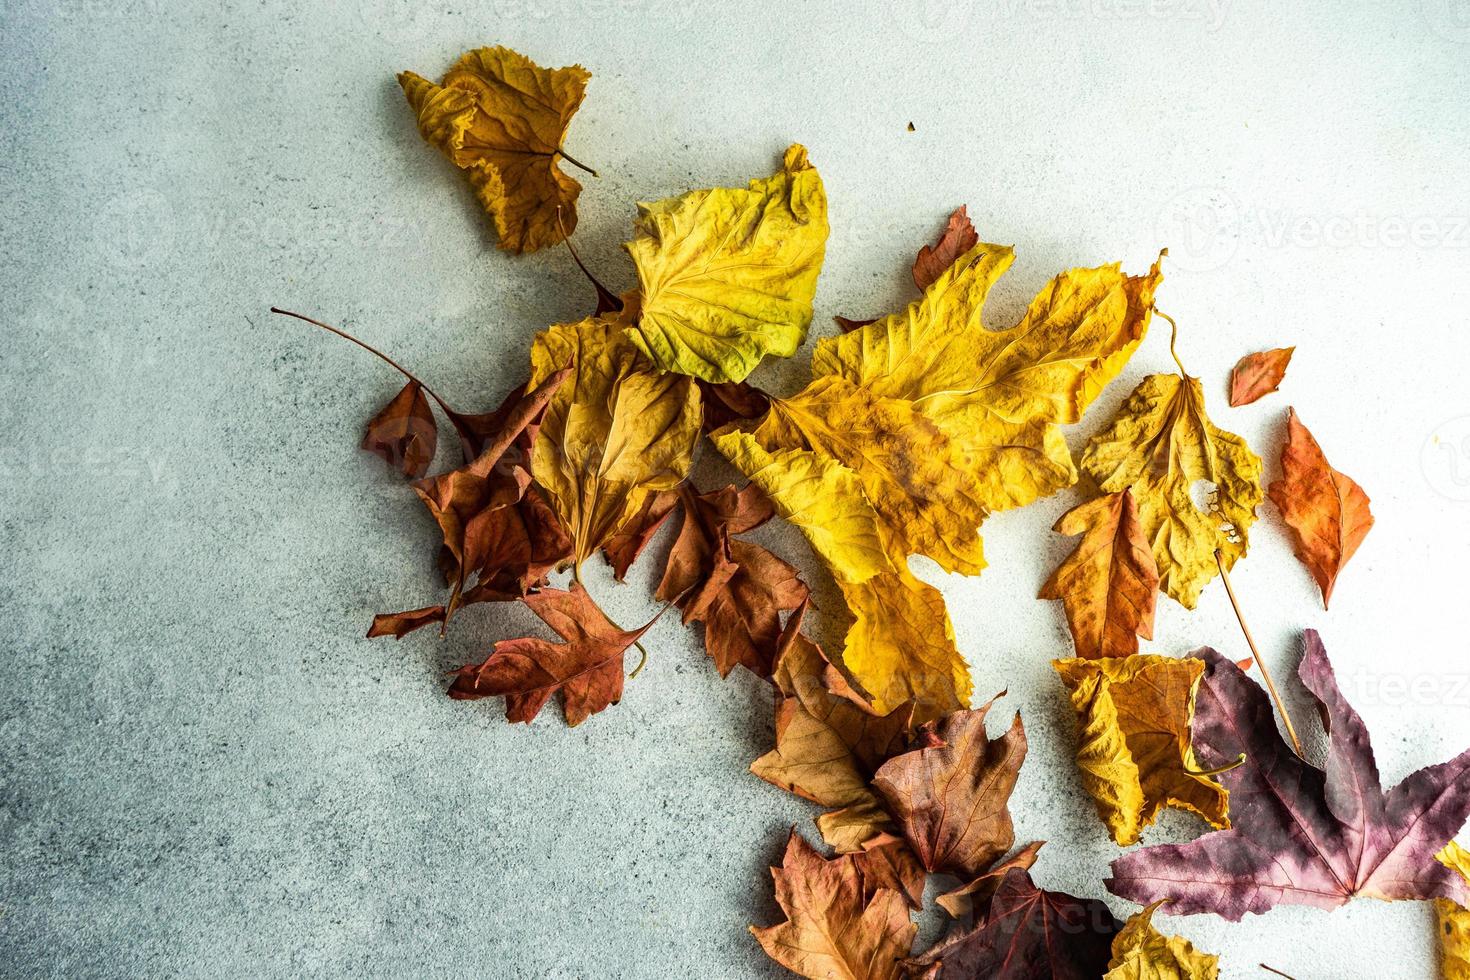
(1030, 934)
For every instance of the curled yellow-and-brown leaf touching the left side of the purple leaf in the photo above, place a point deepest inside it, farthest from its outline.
(1134, 749)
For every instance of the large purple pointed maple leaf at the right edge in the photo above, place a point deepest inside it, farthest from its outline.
(1302, 835)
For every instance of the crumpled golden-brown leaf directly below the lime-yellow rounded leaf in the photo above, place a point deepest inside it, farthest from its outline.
(617, 433)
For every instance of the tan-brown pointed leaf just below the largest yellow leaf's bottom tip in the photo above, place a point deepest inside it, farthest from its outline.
(830, 741)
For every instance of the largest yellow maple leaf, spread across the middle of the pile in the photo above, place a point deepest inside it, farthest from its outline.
(939, 422)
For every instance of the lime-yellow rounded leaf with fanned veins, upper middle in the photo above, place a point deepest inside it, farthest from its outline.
(728, 274)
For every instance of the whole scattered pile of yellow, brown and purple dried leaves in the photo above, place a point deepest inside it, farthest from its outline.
(915, 428)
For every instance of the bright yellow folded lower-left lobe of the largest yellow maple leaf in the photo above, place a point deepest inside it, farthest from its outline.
(821, 497)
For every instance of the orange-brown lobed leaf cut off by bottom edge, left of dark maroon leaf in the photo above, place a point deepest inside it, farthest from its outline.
(834, 929)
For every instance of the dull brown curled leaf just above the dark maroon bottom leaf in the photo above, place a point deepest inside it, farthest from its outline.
(950, 797)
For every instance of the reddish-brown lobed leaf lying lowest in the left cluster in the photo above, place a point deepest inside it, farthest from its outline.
(587, 669)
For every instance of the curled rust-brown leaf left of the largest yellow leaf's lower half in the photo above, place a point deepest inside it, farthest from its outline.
(736, 588)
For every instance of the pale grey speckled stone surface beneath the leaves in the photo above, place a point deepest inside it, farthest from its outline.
(207, 772)
